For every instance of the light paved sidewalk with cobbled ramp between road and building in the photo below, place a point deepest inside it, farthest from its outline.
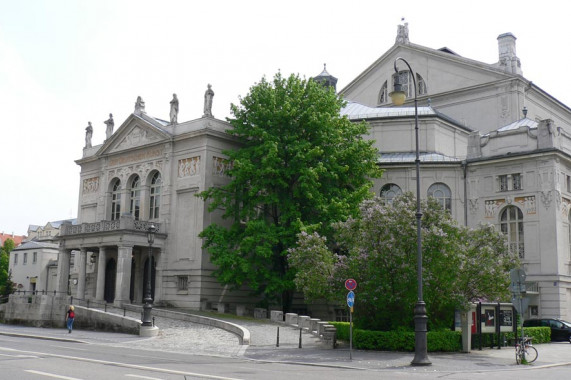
(178, 336)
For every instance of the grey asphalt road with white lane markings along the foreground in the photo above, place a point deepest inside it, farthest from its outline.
(30, 359)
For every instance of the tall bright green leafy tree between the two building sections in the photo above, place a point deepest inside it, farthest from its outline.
(300, 165)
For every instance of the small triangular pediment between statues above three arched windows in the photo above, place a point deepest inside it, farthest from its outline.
(134, 133)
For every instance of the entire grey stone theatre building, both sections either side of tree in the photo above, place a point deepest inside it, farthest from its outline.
(494, 148)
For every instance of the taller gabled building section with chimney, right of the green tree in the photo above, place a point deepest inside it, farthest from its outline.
(494, 148)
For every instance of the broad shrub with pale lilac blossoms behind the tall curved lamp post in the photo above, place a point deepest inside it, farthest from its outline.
(378, 249)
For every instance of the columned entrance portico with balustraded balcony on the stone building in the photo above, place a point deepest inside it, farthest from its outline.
(119, 251)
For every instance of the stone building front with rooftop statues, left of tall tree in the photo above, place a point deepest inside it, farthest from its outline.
(147, 171)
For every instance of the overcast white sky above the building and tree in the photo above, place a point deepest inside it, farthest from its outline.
(64, 63)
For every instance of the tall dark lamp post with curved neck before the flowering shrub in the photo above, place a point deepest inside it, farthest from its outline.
(398, 97)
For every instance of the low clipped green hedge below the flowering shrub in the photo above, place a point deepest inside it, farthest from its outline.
(401, 340)
